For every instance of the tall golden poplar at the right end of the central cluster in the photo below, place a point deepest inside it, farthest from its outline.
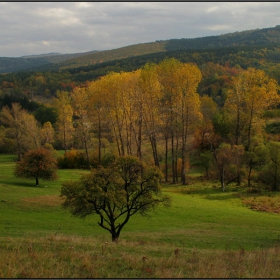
(180, 108)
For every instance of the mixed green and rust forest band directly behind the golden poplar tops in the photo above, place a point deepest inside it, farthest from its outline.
(216, 65)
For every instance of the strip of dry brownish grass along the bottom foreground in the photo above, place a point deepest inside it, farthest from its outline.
(76, 257)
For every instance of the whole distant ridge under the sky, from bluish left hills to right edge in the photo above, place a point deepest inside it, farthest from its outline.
(55, 61)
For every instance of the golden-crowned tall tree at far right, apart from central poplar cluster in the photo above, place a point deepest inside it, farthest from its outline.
(252, 94)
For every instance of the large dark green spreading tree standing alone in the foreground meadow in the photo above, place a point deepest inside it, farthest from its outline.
(115, 193)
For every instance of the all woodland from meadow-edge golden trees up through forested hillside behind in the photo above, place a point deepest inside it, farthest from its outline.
(216, 109)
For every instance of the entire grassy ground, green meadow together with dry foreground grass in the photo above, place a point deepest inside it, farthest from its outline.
(202, 220)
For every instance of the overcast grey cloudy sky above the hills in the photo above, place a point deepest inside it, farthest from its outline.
(28, 28)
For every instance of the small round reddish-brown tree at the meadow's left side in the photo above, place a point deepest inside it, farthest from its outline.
(37, 163)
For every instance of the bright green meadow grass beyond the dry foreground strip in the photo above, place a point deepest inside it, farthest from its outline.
(200, 216)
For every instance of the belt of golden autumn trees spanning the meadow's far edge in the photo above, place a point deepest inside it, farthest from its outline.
(165, 114)
